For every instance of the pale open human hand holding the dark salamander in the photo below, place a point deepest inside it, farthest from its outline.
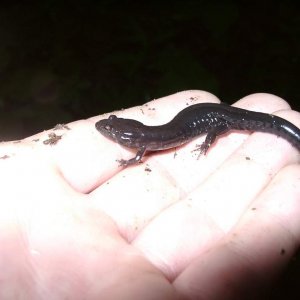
(75, 225)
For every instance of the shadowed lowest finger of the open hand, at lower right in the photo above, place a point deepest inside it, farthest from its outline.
(256, 250)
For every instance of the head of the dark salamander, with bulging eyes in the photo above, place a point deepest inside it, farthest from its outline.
(126, 132)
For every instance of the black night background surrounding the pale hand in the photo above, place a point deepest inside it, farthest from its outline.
(65, 60)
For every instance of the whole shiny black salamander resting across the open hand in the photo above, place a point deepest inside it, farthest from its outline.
(211, 118)
